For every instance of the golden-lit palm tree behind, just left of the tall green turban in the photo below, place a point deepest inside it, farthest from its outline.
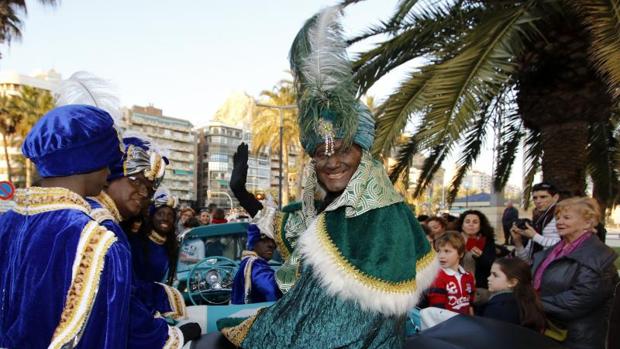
(266, 129)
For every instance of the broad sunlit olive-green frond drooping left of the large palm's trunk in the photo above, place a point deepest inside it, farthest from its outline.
(465, 83)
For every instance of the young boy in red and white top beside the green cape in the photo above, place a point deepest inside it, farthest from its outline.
(454, 288)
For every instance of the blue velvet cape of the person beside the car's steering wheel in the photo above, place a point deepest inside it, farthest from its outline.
(264, 287)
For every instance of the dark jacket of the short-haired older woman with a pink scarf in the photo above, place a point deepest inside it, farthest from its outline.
(576, 292)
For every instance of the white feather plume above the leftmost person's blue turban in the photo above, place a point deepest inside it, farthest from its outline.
(85, 88)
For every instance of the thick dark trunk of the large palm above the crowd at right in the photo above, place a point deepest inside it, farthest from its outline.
(561, 95)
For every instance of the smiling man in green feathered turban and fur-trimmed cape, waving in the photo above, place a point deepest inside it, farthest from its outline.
(360, 258)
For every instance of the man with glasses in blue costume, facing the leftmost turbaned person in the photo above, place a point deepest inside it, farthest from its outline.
(131, 183)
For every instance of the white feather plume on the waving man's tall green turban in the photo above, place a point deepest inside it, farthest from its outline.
(328, 64)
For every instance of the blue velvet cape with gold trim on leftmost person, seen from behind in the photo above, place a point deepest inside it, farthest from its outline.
(39, 246)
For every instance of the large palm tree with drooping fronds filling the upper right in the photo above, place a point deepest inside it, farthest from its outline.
(544, 72)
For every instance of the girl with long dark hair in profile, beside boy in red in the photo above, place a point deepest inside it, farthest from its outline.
(513, 297)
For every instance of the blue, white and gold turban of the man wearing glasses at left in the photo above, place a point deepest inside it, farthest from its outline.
(139, 157)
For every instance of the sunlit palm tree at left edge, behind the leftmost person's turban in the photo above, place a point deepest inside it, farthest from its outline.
(19, 113)
